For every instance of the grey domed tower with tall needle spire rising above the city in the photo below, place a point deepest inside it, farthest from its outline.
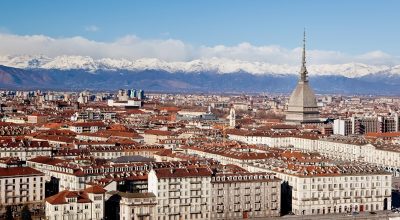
(302, 107)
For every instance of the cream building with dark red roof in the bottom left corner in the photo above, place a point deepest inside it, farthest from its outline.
(20, 186)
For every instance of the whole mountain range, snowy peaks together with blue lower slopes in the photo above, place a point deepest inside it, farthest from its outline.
(208, 75)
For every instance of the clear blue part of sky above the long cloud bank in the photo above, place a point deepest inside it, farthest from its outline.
(348, 26)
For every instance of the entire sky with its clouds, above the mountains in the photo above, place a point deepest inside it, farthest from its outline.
(258, 30)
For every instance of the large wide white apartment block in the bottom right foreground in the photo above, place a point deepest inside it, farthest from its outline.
(328, 190)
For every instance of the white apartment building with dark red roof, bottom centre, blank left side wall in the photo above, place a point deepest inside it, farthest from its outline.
(182, 193)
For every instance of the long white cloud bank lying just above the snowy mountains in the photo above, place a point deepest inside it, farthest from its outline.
(132, 47)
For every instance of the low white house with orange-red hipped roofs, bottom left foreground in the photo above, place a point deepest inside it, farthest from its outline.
(76, 205)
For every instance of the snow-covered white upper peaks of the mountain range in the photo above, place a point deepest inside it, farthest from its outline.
(217, 65)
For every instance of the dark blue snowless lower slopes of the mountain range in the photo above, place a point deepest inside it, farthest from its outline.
(156, 80)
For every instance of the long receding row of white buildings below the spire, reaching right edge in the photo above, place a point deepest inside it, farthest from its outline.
(336, 147)
